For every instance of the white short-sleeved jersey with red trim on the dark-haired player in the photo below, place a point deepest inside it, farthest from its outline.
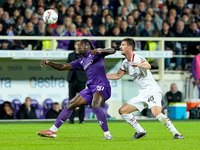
(140, 76)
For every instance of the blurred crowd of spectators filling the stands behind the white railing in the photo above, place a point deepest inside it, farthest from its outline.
(135, 18)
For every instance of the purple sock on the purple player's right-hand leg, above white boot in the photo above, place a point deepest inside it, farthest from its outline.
(101, 118)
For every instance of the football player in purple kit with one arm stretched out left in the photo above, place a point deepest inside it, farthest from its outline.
(98, 90)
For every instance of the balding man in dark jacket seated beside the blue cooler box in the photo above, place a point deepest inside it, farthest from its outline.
(172, 96)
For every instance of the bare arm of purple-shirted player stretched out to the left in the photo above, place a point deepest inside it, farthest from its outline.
(56, 65)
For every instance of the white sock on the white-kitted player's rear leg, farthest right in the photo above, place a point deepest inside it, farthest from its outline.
(167, 123)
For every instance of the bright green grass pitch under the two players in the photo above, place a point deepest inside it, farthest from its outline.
(89, 136)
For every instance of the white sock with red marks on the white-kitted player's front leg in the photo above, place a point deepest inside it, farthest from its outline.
(132, 121)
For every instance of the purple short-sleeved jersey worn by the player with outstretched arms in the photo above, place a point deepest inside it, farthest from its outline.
(94, 68)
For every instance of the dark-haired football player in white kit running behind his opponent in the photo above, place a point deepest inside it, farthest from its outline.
(149, 94)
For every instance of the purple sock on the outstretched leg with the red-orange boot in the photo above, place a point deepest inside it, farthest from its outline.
(63, 116)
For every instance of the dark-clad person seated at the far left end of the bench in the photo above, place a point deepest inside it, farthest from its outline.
(6, 111)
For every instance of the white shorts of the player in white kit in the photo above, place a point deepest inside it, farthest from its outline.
(143, 100)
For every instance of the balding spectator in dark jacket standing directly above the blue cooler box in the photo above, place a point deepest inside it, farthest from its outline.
(181, 47)
